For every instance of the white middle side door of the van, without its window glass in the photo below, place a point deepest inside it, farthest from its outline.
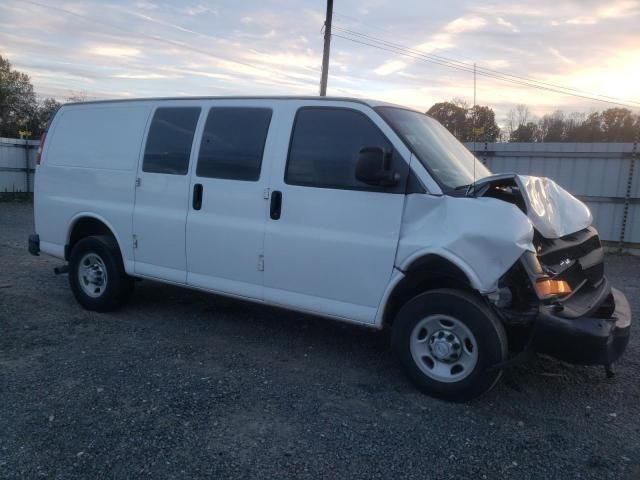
(225, 238)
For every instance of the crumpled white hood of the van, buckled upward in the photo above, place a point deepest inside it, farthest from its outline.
(553, 211)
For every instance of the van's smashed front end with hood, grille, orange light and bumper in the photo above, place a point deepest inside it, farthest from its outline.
(557, 299)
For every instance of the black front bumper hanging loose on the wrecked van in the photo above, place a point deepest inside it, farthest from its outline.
(588, 340)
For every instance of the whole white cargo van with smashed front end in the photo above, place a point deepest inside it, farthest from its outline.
(353, 210)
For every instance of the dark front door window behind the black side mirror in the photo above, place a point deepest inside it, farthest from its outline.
(325, 147)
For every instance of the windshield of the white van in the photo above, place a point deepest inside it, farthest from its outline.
(440, 152)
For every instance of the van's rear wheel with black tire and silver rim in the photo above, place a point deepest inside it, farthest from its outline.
(96, 274)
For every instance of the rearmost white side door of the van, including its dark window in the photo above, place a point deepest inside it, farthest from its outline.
(162, 194)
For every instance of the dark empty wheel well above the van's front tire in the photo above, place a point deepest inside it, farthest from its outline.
(426, 273)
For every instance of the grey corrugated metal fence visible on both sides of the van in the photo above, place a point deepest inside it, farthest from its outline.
(600, 174)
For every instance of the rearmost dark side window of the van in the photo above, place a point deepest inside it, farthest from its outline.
(169, 141)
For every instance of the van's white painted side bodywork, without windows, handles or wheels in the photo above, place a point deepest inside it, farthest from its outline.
(336, 253)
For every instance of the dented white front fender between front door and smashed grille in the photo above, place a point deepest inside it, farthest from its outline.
(486, 238)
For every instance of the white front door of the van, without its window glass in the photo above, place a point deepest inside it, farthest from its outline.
(332, 251)
